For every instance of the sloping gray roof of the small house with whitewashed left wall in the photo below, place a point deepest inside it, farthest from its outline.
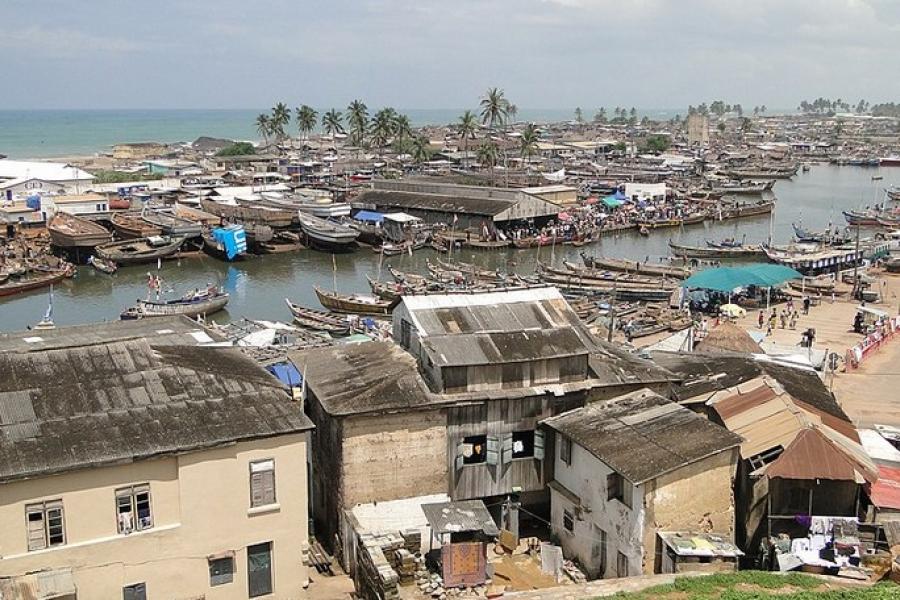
(642, 435)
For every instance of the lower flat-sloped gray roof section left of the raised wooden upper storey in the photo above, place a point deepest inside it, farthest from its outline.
(362, 378)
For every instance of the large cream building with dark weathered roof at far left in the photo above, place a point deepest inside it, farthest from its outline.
(142, 468)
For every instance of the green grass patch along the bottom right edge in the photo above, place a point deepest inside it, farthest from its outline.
(758, 585)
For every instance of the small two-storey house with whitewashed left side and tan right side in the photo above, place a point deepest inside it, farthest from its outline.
(630, 468)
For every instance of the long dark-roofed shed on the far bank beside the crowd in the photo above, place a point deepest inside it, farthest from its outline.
(466, 206)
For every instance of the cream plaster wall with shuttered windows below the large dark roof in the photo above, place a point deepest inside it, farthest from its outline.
(200, 503)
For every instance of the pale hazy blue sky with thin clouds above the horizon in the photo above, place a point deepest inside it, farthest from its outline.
(445, 53)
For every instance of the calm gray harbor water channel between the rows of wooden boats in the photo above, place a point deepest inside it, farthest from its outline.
(259, 285)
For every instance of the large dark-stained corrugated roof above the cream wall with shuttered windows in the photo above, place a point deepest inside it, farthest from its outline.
(115, 402)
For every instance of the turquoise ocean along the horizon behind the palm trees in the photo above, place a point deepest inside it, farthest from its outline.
(55, 133)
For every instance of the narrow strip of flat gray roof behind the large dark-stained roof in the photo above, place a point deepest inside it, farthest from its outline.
(180, 331)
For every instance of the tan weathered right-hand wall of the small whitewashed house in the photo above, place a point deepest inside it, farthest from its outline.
(697, 497)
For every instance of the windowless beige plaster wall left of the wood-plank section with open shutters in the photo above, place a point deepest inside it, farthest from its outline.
(394, 456)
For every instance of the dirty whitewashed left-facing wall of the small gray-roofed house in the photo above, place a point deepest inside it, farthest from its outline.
(585, 480)
